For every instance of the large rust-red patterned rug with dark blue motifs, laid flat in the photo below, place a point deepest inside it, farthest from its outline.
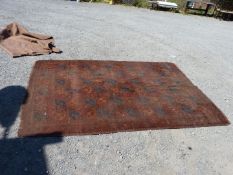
(94, 97)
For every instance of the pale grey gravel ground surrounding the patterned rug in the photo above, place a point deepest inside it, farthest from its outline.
(200, 46)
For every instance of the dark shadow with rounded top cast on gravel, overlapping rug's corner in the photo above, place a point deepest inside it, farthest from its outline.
(20, 155)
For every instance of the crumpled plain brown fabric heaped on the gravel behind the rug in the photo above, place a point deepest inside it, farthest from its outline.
(18, 41)
